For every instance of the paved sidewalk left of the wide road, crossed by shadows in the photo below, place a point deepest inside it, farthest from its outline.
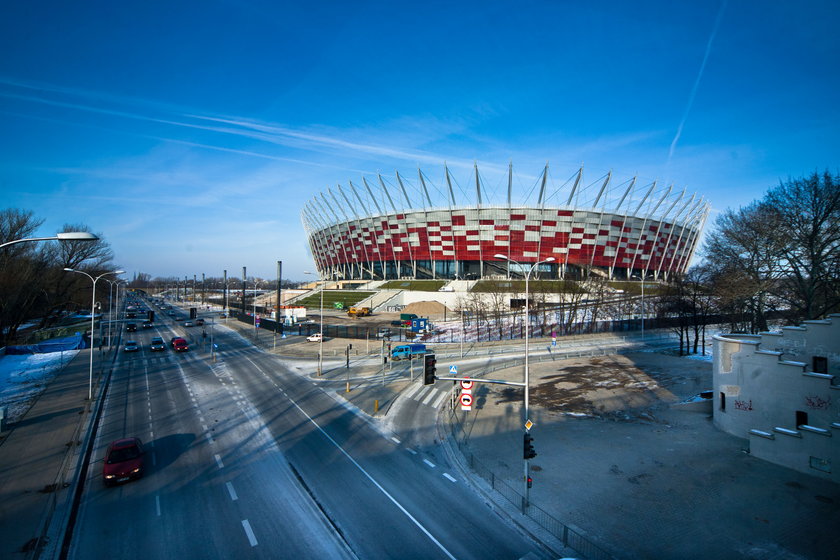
(37, 457)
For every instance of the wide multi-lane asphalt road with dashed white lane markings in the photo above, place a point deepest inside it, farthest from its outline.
(247, 458)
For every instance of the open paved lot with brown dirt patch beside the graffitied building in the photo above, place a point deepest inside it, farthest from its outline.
(646, 479)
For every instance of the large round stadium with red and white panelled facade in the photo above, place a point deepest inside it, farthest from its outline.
(624, 230)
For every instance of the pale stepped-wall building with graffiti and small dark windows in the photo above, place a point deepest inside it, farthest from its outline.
(782, 391)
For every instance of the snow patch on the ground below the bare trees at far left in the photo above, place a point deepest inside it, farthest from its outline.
(24, 376)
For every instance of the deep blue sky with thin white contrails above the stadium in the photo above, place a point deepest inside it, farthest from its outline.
(190, 134)
